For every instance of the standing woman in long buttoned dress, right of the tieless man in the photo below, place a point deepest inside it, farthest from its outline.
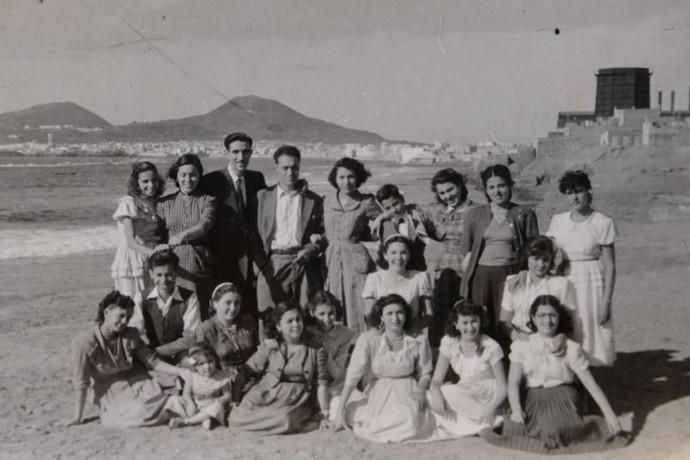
(347, 213)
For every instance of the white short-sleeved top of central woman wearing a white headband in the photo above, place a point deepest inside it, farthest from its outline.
(412, 287)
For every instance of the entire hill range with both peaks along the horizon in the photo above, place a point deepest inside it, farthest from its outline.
(263, 119)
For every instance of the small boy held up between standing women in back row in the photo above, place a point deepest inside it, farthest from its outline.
(404, 219)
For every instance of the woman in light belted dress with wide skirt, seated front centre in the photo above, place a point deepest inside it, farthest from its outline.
(395, 407)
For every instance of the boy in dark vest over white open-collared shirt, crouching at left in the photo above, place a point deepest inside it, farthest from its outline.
(167, 315)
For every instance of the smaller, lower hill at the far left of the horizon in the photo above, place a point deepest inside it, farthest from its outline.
(59, 113)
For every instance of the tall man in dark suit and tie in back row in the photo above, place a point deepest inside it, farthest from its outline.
(235, 189)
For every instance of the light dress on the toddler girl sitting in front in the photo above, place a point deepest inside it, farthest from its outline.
(206, 392)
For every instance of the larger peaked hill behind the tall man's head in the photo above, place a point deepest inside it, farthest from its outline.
(262, 118)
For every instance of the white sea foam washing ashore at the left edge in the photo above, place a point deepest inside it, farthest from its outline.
(47, 243)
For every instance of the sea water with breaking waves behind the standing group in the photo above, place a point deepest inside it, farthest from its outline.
(55, 206)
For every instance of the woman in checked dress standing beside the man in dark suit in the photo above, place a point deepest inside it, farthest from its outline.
(189, 215)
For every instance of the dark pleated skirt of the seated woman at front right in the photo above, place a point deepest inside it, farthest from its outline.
(554, 425)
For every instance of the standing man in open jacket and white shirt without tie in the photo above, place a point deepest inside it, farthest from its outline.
(290, 228)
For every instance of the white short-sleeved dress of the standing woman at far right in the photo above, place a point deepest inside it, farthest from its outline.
(582, 242)
